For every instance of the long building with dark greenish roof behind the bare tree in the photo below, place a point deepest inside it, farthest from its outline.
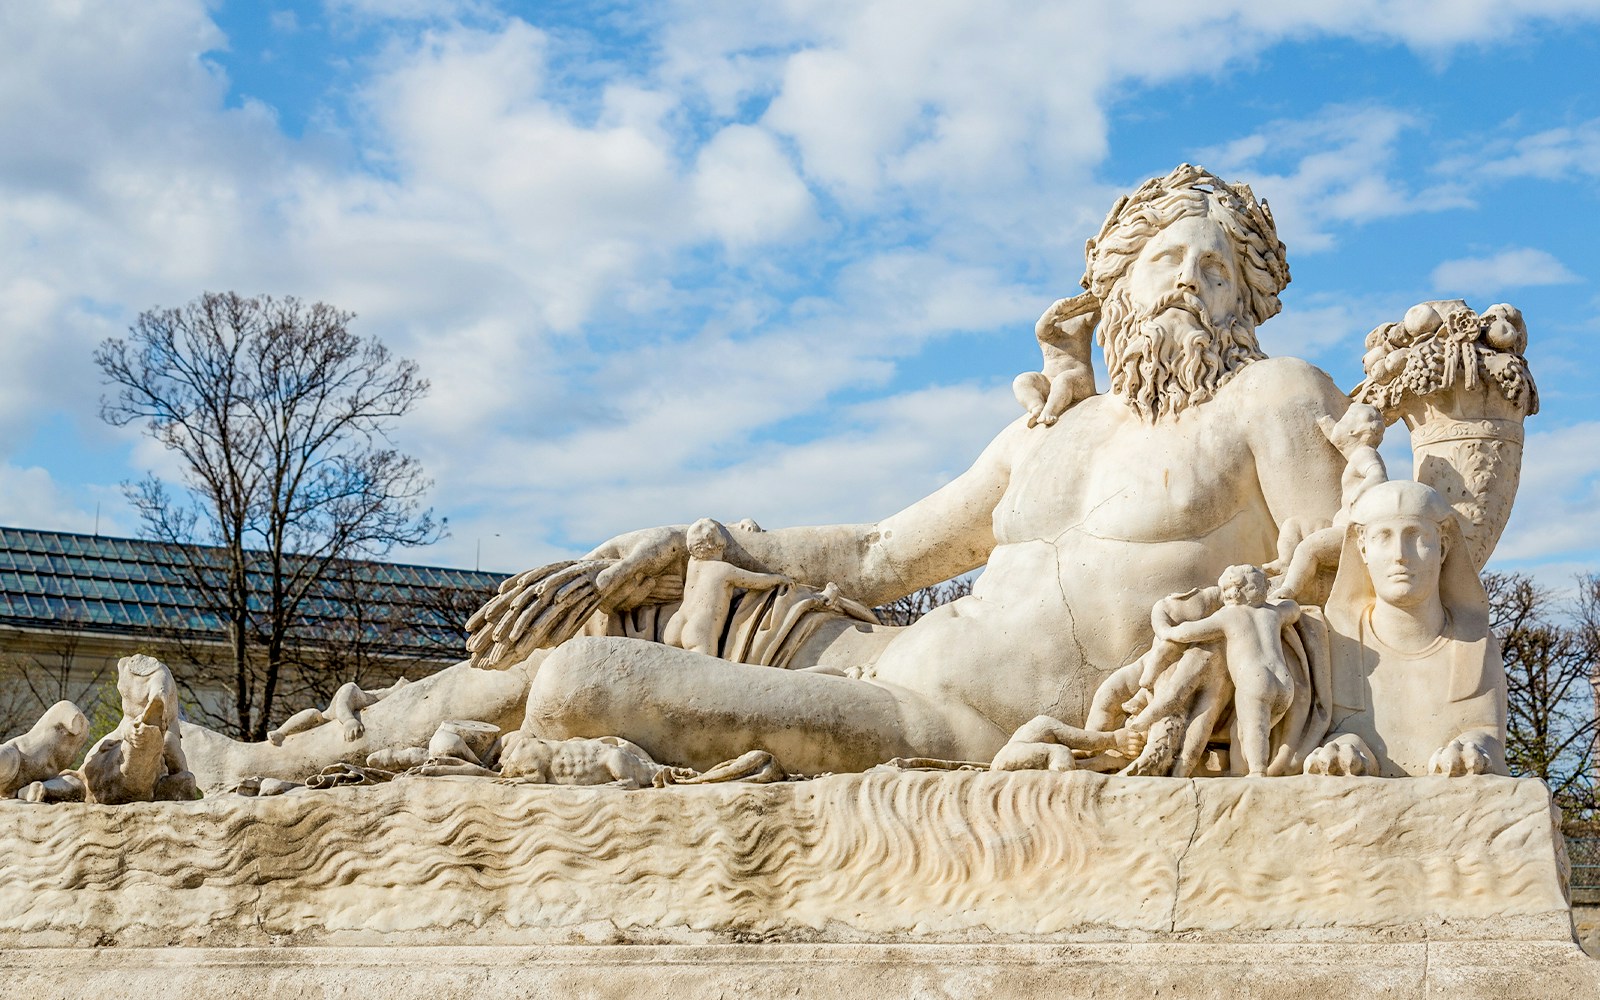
(71, 606)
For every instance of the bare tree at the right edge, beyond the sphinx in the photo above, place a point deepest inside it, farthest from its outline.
(1551, 655)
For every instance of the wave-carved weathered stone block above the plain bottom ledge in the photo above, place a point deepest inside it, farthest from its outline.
(884, 857)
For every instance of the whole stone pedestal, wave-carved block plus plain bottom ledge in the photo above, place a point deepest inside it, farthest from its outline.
(873, 886)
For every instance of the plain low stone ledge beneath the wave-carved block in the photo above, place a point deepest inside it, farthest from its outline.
(1481, 970)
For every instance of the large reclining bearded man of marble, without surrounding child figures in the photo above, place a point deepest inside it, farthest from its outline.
(1196, 460)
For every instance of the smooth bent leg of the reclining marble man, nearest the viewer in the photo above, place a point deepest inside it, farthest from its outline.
(698, 711)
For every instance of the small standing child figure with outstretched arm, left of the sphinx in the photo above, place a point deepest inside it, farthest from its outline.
(1252, 631)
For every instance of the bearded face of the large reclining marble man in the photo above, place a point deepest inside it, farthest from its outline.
(1174, 327)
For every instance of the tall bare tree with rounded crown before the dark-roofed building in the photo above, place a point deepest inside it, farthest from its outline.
(279, 417)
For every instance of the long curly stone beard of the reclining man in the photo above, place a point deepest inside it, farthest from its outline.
(1172, 356)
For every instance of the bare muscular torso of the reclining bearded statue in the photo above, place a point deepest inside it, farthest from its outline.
(1100, 518)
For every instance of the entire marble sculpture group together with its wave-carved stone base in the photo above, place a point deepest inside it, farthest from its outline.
(958, 783)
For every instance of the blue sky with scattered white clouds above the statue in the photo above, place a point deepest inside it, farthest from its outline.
(761, 260)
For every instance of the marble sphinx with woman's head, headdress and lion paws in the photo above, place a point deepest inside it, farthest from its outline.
(1418, 679)
